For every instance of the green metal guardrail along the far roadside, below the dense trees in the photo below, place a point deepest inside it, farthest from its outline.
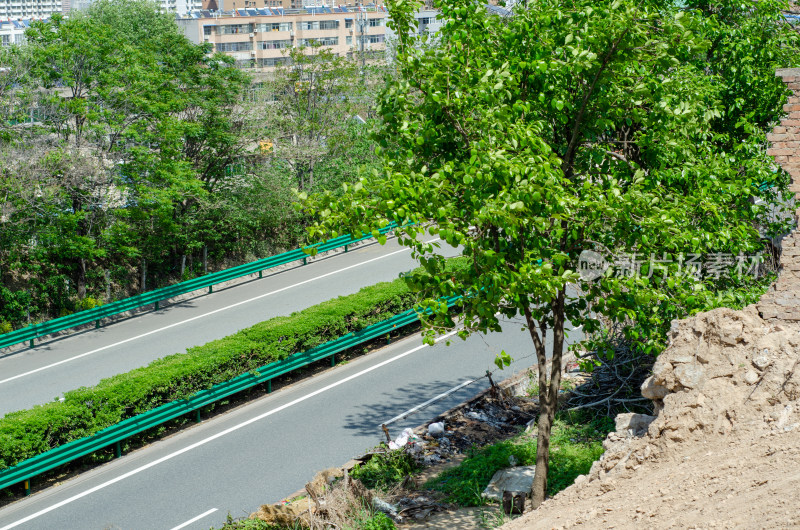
(154, 297)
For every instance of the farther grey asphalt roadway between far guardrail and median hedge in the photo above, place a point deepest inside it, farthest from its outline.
(31, 376)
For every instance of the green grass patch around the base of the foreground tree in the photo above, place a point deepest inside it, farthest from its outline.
(576, 442)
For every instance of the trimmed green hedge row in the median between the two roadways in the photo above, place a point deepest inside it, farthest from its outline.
(85, 411)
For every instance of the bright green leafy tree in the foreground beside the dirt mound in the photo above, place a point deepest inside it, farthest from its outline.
(531, 139)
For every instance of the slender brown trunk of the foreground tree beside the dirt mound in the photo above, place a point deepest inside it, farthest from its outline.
(548, 403)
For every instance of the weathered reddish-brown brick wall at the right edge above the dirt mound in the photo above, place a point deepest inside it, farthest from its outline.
(782, 301)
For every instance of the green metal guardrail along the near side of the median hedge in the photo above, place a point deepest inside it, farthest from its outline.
(112, 436)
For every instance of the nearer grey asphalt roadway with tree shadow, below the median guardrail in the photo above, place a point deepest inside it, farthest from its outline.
(270, 448)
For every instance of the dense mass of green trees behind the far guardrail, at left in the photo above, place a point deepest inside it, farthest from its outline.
(130, 158)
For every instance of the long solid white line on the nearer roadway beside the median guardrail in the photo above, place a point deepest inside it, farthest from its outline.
(218, 435)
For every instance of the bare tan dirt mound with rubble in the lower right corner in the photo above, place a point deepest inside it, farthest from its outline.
(723, 450)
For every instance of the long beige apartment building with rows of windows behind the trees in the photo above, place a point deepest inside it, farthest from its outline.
(259, 38)
